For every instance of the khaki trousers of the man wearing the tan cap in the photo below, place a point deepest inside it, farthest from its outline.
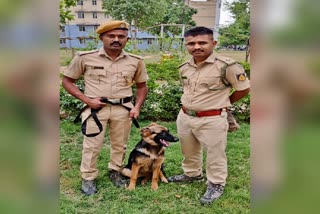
(117, 120)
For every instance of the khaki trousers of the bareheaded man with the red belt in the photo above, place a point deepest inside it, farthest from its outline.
(204, 133)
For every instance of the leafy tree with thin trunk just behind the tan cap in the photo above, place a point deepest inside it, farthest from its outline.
(140, 13)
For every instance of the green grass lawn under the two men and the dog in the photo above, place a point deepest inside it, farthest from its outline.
(169, 198)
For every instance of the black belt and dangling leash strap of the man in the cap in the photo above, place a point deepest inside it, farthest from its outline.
(95, 111)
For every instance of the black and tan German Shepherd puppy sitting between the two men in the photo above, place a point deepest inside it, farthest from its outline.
(147, 158)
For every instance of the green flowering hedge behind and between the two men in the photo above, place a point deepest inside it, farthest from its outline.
(163, 101)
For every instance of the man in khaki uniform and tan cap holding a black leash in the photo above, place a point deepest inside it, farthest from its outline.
(109, 73)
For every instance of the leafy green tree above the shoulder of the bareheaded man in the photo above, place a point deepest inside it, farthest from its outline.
(237, 33)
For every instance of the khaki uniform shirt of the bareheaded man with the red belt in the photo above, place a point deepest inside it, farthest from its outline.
(203, 88)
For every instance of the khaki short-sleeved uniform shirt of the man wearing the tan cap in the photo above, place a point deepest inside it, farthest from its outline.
(105, 77)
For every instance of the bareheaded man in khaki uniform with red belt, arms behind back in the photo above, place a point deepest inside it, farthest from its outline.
(202, 122)
